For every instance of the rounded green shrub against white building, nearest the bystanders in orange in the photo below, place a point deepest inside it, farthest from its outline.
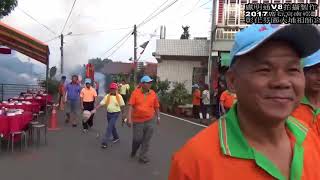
(179, 94)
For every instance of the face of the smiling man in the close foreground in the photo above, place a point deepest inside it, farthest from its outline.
(268, 81)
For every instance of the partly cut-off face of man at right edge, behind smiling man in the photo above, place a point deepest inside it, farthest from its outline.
(312, 75)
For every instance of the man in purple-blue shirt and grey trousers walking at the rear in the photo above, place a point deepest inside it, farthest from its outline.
(73, 101)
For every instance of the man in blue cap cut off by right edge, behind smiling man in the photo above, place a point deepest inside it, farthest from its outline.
(309, 108)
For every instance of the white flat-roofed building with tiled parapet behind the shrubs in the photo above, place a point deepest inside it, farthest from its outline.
(184, 61)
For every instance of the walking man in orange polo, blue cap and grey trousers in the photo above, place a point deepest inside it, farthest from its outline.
(143, 109)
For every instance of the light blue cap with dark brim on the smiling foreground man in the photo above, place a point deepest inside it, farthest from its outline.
(305, 38)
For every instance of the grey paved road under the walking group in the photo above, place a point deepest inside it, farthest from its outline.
(71, 155)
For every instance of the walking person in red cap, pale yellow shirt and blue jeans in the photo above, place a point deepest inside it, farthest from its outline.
(113, 102)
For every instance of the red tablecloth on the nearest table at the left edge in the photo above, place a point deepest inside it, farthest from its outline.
(14, 123)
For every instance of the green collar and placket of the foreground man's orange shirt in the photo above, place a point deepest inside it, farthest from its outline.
(234, 144)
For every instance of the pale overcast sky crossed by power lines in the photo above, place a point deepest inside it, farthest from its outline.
(107, 16)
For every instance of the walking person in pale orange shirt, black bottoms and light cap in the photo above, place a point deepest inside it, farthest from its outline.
(88, 97)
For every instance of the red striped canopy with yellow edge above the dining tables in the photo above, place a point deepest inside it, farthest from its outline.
(25, 44)
